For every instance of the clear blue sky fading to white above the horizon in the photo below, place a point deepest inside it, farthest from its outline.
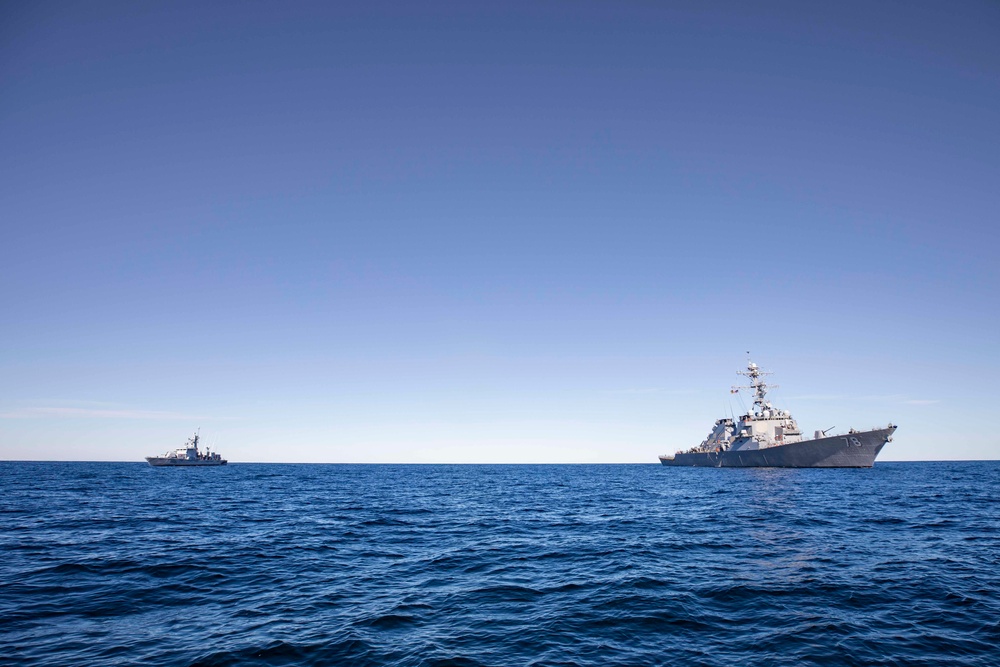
(494, 232)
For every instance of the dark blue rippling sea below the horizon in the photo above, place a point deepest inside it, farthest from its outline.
(261, 564)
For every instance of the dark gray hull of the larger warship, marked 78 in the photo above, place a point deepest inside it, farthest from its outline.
(853, 450)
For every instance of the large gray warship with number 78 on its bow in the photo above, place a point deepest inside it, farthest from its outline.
(767, 437)
